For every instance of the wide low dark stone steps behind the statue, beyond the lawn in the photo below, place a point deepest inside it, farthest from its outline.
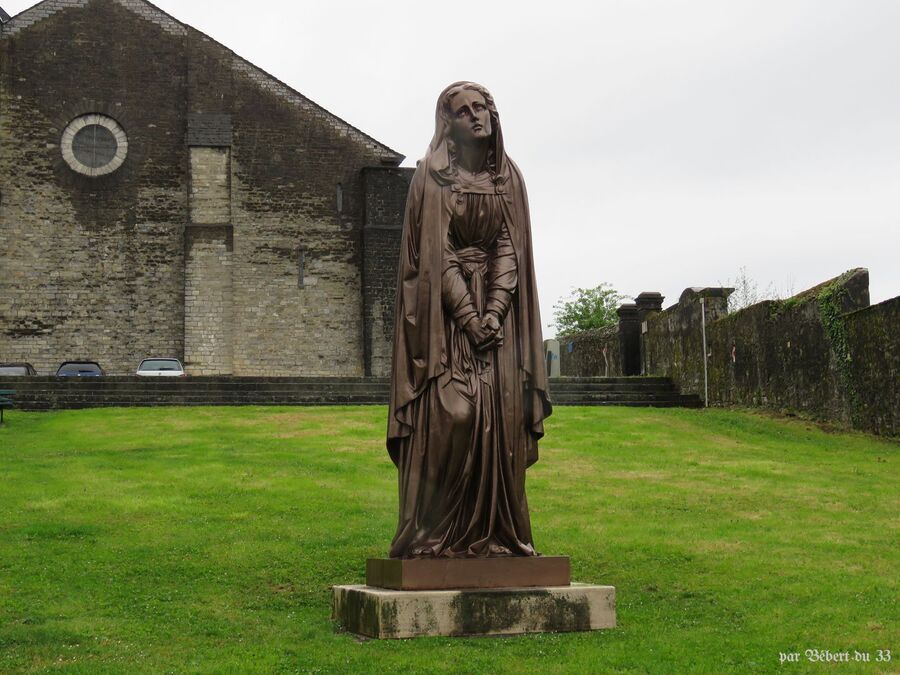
(51, 393)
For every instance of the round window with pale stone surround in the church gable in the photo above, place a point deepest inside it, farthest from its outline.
(94, 145)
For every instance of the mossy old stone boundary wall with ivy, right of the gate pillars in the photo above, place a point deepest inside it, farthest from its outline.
(823, 353)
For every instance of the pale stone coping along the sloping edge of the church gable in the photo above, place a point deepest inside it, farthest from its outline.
(170, 24)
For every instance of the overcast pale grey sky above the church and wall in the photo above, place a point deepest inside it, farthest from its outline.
(665, 143)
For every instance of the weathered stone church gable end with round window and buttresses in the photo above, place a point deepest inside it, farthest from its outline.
(161, 196)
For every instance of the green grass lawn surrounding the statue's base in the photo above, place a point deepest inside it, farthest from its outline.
(207, 540)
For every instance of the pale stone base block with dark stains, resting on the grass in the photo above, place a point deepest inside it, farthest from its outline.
(385, 613)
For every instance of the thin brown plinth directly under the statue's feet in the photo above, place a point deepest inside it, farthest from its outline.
(440, 574)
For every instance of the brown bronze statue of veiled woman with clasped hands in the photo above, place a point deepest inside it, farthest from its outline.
(469, 385)
